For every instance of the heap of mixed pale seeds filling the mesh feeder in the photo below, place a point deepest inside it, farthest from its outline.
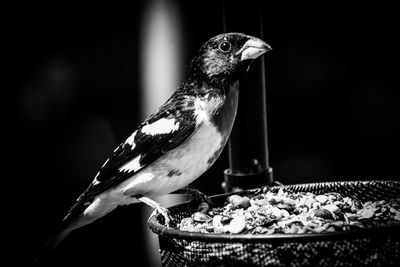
(285, 212)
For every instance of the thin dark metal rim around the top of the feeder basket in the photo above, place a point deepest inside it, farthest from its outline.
(169, 232)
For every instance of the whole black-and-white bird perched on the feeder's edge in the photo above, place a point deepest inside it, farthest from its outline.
(177, 143)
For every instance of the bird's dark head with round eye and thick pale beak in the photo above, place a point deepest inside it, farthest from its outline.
(226, 57)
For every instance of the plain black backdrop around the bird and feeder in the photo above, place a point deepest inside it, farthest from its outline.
(333, 107)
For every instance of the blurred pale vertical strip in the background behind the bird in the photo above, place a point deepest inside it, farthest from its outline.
(161, 65)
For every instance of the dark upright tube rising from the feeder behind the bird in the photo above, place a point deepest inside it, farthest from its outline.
(248, 146)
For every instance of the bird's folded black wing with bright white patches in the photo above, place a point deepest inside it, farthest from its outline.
(171, 125)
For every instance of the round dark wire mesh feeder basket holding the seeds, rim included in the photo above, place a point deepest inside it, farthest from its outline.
(378, 246)
